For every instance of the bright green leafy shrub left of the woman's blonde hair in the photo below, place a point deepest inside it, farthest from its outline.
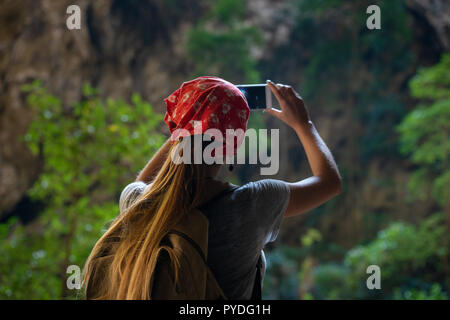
(91, 151)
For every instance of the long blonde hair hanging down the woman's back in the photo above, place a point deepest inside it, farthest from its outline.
(118, 266)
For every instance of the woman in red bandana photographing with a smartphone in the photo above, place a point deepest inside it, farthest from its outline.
(241, 221)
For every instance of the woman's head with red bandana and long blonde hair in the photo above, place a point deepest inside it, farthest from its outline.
(118, 265)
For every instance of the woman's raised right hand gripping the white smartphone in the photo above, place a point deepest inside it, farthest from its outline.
(293, 111)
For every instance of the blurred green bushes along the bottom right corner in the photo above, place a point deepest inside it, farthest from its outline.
(411, 259)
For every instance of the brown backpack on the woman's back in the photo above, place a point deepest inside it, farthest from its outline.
(189, 242)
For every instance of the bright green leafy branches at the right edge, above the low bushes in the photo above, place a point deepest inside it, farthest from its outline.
(424, 132)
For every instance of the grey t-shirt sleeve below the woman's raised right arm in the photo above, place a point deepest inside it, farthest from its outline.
(270, 198)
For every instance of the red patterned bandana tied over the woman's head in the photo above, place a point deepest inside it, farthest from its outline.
(210, 102)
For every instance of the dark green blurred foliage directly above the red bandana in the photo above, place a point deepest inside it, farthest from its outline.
(220, 43)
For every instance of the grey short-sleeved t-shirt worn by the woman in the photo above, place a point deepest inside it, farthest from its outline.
(241, 223)
